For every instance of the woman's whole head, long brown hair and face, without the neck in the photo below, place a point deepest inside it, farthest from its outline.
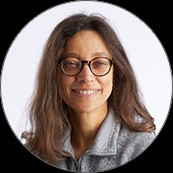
(84, 37)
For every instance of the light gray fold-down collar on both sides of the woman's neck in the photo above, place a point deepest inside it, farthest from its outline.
(104, 142)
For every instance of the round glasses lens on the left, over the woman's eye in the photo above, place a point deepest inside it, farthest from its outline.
(70, 65)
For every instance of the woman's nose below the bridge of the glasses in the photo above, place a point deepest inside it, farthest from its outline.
(85, 75)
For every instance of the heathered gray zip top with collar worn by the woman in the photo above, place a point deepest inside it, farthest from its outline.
(113, 146)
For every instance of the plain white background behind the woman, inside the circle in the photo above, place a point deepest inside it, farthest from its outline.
(145, 51)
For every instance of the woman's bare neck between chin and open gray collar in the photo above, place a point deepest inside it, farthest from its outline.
(85, 126)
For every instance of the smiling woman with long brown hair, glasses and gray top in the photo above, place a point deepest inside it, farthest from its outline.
(86, 113)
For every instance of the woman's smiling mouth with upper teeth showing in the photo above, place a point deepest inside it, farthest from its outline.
(84, 92)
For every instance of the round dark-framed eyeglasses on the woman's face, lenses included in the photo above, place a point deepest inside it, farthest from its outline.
(99, 66)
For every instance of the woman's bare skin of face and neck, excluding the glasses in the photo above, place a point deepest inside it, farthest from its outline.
(87, 112)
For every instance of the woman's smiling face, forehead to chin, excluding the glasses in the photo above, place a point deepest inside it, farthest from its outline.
(86, 92)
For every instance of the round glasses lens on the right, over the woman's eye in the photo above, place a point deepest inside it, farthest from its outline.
(100, 66)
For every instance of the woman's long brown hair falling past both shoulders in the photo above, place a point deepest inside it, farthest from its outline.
(47, 110)
